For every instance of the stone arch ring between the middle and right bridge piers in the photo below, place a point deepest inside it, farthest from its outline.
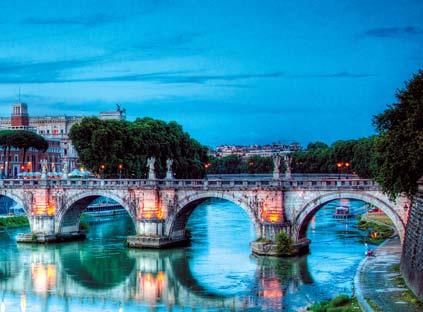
(176, 224)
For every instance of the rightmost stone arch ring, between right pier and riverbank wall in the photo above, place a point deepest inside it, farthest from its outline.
(308, 210)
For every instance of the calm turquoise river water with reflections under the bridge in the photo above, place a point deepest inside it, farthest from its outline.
(217, 271)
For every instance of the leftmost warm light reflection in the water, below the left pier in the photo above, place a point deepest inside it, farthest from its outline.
(43, 277)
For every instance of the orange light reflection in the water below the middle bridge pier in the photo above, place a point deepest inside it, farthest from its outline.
(151, 286)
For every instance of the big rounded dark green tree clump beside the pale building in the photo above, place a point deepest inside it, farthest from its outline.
(112, 143)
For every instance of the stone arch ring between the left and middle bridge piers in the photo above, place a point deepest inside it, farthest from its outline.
(69, 215)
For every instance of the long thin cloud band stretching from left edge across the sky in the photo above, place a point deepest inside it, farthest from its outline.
(60, 71)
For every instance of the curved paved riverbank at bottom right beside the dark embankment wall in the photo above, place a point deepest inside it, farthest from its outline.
(379, 284)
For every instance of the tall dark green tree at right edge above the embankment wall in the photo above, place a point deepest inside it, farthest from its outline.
(399, 148)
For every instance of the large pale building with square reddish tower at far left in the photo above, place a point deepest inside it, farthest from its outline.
(55, 129)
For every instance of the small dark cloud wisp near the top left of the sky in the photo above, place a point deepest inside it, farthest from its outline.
(88, 21)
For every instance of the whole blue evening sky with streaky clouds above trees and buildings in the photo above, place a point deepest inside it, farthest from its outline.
(231, 72)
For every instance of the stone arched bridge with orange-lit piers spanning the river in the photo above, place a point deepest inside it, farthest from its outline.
(160, 208)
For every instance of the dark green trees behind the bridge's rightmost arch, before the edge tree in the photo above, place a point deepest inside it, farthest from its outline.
(320, 158)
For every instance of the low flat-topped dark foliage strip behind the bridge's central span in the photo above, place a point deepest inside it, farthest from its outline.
(235, 165)
